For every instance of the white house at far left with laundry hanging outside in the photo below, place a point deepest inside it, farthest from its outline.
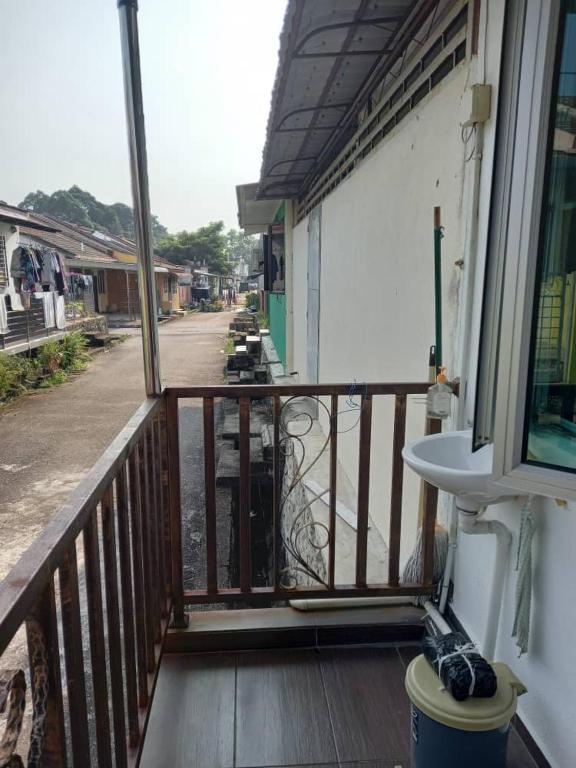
(31, 317)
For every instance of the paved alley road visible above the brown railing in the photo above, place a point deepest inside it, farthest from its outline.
(49, 439)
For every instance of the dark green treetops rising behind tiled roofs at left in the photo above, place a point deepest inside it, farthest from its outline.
(77, 206)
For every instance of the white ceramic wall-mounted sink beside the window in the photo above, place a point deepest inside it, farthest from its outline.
(446, 461)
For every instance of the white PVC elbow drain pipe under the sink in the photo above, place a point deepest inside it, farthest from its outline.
(470, 524)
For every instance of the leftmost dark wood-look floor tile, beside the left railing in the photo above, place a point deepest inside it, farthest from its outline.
(192, 717)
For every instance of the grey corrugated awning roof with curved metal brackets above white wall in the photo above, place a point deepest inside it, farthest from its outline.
(332, 53)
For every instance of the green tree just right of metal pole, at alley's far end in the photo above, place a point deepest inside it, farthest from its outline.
(206, 245)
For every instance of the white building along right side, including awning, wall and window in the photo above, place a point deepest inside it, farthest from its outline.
(365, 139)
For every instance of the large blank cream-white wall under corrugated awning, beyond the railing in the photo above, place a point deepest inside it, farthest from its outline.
(377, 277)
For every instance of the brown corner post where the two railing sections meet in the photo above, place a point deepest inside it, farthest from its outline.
(179, 618)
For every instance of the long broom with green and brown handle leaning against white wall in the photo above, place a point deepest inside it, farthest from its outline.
(412, 573)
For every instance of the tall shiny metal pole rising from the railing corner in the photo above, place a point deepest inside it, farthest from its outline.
(128, 11)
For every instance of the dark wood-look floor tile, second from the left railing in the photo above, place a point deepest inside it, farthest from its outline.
(281, 712)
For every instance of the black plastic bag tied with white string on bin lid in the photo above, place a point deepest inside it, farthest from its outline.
(462, 670)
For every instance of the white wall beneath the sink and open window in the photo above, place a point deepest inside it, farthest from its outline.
(548, 669)
